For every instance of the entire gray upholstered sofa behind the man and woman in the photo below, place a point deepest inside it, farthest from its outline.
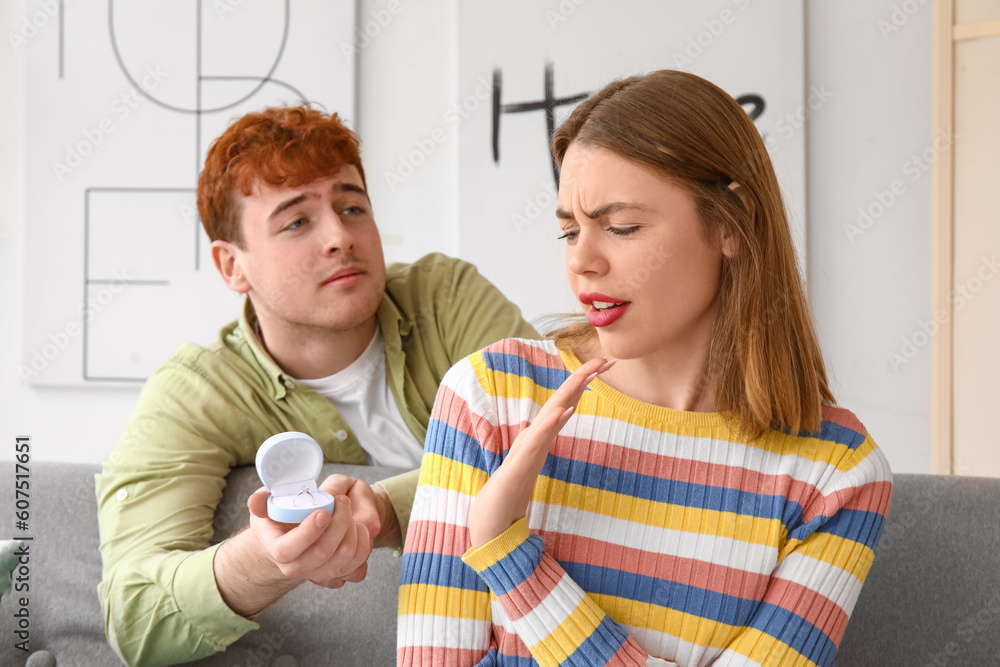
(931, 597)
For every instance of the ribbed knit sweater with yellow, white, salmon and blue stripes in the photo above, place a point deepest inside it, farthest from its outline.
(651, 533)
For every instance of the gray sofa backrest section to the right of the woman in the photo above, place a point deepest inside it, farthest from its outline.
(932, 597)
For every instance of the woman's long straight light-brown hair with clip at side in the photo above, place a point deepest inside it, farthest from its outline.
(765, 363)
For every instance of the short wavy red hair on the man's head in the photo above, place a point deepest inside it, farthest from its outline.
(279, 146)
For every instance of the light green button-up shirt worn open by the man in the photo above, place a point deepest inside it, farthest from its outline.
(208, 409)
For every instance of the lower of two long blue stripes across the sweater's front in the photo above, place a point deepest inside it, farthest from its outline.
(693, 600)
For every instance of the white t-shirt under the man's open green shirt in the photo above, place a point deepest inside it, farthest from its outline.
(362, 395)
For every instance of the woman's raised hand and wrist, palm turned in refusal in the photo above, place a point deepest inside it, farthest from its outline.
(505, 496)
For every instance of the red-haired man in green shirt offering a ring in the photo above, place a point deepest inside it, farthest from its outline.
(330, 342)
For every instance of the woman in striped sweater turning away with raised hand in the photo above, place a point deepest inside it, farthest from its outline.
(702, 501)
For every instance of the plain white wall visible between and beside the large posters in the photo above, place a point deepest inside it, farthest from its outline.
(867, 295)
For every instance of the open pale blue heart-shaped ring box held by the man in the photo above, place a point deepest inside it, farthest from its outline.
(288, 464)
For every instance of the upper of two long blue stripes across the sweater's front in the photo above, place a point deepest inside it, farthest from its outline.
(674, 492)
